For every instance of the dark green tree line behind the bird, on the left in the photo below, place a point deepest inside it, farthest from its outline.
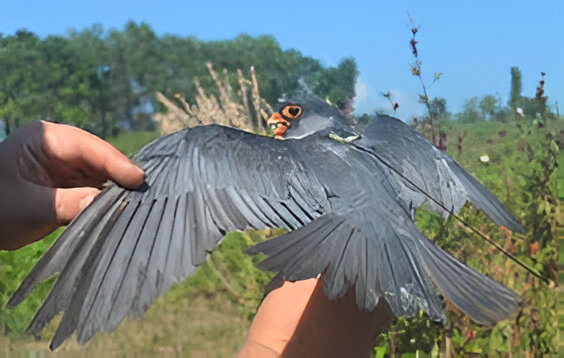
(102, 80)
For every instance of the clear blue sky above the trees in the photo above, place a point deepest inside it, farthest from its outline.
(473, 43)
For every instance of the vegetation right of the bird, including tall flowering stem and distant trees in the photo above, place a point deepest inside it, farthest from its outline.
(513, 151)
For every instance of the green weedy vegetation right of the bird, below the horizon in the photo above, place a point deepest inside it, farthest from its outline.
(516, 173)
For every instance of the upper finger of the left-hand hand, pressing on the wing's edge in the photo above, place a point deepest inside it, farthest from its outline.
(84, 150)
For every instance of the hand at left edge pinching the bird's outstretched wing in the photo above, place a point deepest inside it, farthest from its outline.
(48, 173)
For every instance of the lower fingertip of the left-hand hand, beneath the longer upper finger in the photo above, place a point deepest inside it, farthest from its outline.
(70, 202)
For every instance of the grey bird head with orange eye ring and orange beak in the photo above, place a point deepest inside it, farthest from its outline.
(305, 116)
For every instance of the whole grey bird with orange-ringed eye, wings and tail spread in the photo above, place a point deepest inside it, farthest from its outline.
(345, 197)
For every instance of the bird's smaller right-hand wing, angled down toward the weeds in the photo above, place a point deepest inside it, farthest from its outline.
(425, 174)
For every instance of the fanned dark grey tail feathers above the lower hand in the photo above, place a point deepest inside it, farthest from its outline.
(402, 266)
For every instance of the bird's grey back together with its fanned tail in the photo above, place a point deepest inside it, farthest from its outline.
(369, 241)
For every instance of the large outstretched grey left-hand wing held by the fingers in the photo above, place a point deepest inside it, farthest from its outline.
(128, 247)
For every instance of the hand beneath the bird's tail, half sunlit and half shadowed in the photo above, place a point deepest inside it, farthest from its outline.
(298, 320)
